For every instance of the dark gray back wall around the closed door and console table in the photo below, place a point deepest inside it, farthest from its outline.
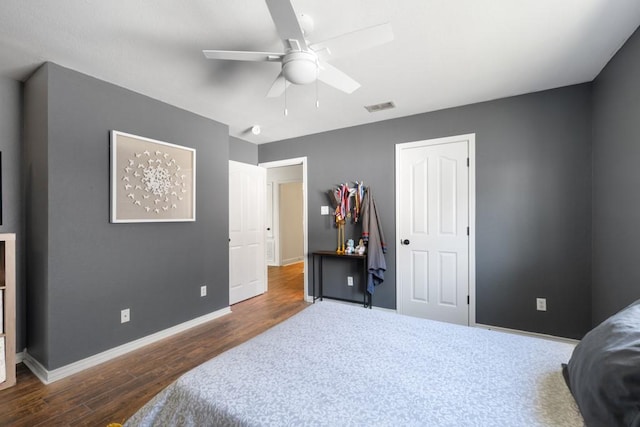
(533, 200)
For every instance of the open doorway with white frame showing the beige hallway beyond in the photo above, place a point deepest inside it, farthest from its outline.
(286, 218)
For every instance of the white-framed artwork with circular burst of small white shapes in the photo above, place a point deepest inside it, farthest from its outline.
(151, 181)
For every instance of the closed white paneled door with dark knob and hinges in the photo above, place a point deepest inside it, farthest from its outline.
(433, 221)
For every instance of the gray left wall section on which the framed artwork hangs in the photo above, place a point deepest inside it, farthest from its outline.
(83, 269)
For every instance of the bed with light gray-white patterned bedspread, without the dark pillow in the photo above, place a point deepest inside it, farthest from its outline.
(336, 364)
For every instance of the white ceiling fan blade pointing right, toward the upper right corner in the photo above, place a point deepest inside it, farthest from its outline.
(355, 41)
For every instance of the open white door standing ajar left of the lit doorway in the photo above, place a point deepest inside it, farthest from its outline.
(247, 266)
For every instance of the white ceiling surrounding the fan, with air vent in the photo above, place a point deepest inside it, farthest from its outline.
(446, 53)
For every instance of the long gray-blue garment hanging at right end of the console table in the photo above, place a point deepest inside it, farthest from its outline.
(374, 239)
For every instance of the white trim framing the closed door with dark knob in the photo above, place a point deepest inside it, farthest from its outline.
(471, 138)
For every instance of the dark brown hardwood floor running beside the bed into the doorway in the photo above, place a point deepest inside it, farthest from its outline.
(113, 391)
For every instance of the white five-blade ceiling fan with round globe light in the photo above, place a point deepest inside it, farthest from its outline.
(304, 62)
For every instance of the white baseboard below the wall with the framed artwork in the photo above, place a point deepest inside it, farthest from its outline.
(49, 376)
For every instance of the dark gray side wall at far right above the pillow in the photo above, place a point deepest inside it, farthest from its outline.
(616, 182)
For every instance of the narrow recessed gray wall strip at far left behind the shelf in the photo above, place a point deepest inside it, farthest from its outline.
(12, 212)
